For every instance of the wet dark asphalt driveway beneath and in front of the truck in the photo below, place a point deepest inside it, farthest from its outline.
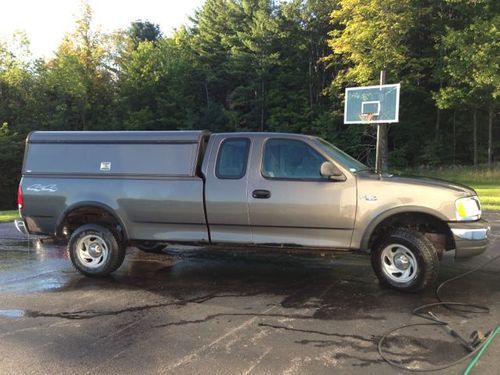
(213, 312)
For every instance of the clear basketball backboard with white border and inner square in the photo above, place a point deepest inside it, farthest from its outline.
(372, 104)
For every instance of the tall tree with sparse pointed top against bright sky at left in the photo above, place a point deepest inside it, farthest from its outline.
(76, 83)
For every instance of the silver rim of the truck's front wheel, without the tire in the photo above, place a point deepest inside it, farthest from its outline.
(399, 263)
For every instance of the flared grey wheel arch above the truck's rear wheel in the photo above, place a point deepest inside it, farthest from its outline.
(89, 207)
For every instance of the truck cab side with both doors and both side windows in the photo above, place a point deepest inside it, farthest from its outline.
(267, 189)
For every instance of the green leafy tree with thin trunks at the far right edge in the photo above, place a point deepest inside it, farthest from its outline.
(470, 66)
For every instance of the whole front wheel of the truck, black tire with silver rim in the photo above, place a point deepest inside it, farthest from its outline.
(412, 248)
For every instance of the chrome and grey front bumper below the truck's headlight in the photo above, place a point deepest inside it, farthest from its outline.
(471, 238)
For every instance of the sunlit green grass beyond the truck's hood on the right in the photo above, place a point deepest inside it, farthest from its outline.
(485, 181)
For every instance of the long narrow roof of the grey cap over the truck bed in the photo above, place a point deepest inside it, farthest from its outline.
(191, 136)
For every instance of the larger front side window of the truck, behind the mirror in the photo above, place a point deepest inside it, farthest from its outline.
(291, 159)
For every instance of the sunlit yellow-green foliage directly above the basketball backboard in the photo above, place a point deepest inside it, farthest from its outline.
(373, 36)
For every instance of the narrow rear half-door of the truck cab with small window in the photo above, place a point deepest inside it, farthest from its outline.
(226, 188)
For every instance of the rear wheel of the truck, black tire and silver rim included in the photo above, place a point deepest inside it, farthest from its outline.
(91, 264)
